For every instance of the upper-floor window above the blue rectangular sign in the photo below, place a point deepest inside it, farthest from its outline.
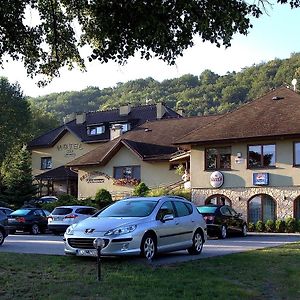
(261, 156)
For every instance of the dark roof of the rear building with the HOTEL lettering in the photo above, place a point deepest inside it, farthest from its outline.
(136, 117)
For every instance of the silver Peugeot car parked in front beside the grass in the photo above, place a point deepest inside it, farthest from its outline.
(139, 226)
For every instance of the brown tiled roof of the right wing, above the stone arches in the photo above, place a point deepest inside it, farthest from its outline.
(276, 114)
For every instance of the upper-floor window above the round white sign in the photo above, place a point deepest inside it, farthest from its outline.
(218, 158)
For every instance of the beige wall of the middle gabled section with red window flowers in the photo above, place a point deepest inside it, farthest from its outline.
(91, 179)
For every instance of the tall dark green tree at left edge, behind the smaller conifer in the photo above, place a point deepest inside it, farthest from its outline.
(14, 117)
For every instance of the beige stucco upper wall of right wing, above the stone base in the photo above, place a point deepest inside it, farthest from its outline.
(239, 176)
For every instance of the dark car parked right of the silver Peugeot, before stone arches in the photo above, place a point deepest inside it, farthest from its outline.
(223, 220)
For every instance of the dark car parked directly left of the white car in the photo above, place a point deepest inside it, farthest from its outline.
(33, 220)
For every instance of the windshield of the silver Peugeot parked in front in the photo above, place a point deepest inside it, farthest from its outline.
(128, 208)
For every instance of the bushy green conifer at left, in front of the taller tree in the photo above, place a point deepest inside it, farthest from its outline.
(18, 178)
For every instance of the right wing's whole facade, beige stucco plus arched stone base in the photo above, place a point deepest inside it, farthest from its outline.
(284, 180)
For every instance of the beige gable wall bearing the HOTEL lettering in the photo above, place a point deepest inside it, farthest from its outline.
(65, 150)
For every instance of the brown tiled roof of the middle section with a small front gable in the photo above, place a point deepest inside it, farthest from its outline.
(152, 140)
